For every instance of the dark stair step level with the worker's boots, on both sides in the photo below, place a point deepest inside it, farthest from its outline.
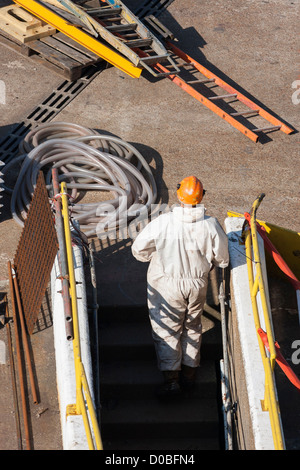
(132, 379)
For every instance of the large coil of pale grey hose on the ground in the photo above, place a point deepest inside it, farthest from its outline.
(87, 161)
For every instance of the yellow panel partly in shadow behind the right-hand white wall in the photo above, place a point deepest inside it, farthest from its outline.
(286, 241)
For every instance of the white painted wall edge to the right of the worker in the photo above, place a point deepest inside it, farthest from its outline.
(251, 356)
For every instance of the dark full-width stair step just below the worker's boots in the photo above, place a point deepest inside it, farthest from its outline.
(147, 418)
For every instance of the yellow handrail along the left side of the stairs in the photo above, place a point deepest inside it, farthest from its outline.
(82, 387)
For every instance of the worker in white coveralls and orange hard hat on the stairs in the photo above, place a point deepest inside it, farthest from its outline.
(182, 245)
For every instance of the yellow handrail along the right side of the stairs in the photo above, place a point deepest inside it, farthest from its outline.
(256, 284)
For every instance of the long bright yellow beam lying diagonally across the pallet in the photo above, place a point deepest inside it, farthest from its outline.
(81, 37)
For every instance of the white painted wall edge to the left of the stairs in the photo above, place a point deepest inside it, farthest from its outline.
(73, 431)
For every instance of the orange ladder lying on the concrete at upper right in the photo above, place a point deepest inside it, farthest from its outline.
(231, 92)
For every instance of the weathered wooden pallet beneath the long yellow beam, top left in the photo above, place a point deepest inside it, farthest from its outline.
(57, 52)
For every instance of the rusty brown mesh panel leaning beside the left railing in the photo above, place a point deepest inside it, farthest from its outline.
(35, 253)
